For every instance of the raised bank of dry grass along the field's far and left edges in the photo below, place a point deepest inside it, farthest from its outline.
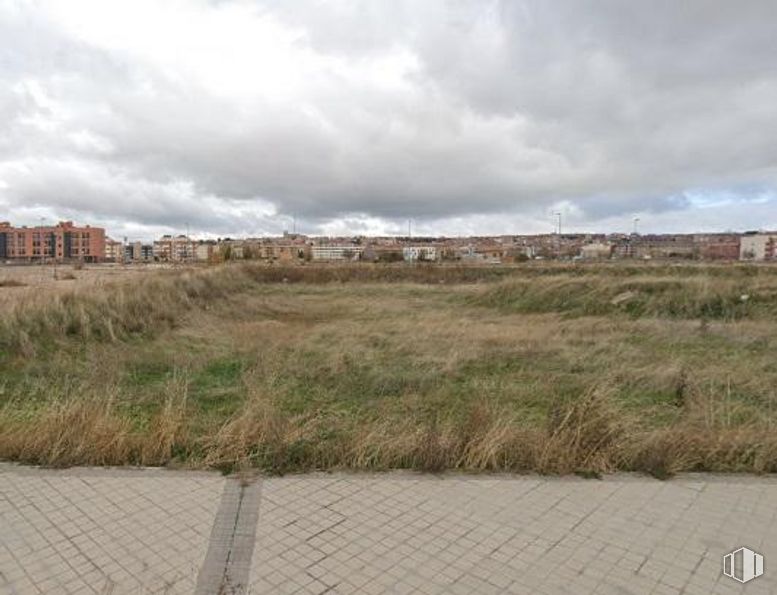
(159, 301)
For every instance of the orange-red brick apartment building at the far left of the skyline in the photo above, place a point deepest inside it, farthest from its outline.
(61, 242)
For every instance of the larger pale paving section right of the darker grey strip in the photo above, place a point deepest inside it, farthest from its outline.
(407, 533)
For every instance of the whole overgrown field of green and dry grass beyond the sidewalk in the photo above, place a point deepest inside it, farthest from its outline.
(553, 369)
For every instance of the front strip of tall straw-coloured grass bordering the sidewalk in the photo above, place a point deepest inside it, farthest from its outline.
(591, 434)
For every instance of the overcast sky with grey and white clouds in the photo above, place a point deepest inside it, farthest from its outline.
(466, 116)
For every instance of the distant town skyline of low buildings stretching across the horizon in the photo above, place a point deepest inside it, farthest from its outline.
(67, 241)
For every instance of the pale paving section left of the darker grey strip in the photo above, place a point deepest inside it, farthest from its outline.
(145, 531)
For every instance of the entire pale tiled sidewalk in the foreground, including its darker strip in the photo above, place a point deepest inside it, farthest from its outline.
(155, 531)
